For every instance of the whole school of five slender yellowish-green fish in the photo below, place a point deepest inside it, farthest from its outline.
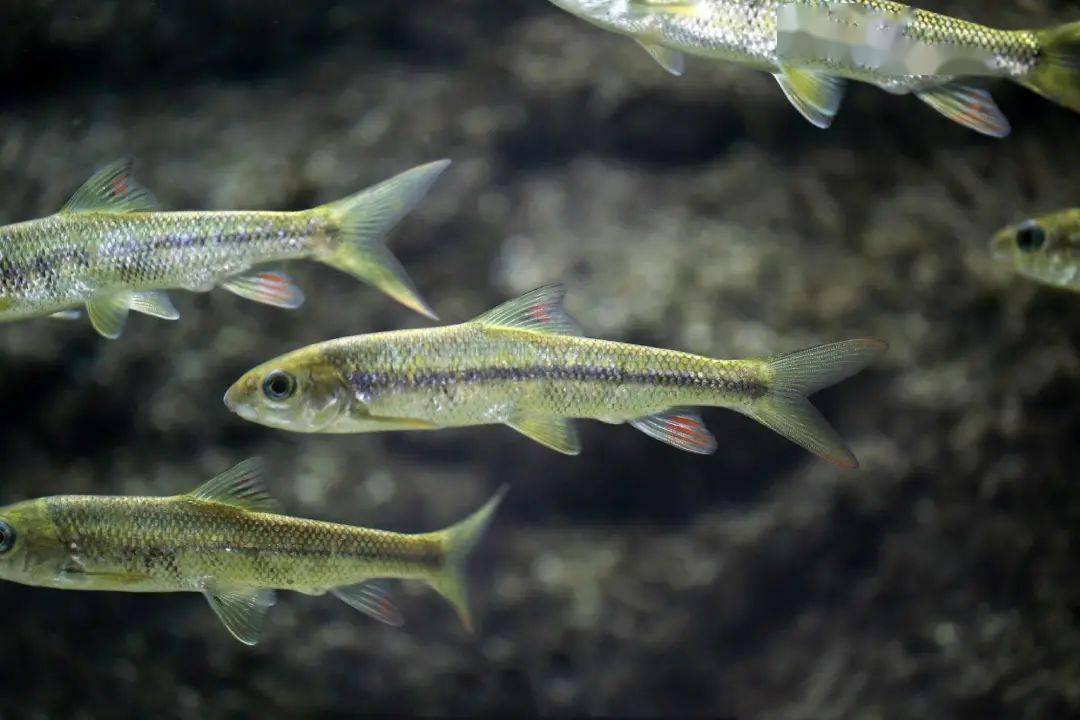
(525, 364)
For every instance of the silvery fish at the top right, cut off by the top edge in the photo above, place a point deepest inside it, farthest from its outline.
(814, 47)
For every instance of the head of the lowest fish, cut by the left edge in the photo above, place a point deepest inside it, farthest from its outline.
(31, 550)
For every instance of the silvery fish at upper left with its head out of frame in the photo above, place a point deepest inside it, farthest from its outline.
(111, 250)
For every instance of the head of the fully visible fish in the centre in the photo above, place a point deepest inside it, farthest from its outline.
(302, 392)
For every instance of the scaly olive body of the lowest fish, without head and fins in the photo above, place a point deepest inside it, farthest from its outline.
(174, 545)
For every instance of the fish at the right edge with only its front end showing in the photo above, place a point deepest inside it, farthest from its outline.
(1046, 250)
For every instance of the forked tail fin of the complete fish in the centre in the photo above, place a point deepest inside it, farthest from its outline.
(800, 375)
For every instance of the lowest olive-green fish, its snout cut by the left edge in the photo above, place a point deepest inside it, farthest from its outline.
(229, 541)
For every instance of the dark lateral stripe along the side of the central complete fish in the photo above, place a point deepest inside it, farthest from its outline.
(368, 383)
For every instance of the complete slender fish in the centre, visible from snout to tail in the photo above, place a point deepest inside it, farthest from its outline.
(528, 364)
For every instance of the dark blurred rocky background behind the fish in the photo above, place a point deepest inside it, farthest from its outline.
(699, 213)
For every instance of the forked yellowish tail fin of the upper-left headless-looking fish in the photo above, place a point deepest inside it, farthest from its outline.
(367, 218)
